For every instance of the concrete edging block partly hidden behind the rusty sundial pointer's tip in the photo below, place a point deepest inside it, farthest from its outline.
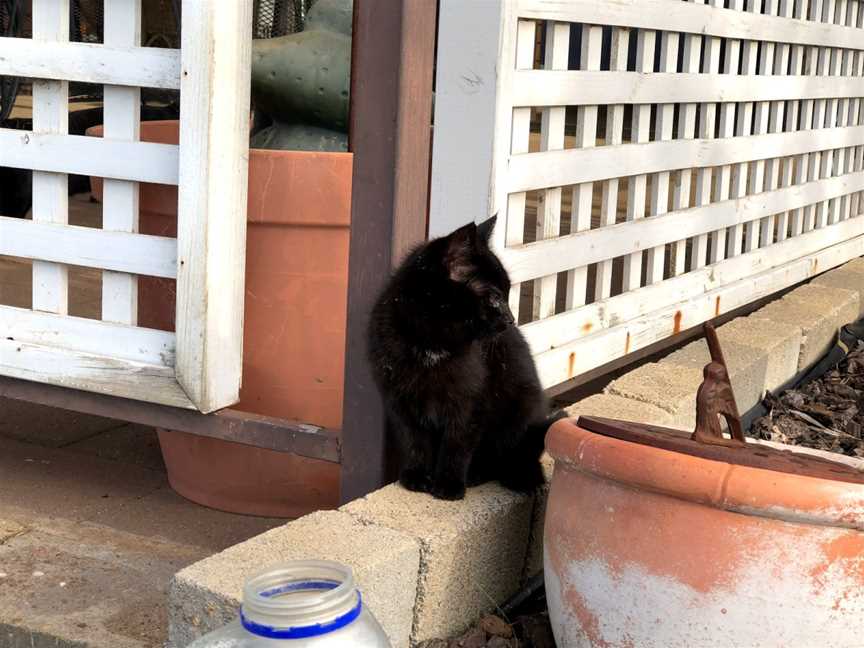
(747, 367)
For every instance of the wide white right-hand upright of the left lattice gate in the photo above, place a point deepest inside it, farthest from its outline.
(214, 153)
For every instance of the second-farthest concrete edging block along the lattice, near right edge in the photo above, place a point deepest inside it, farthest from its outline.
(818, 311)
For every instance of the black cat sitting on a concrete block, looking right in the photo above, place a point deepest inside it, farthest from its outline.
(460, 389)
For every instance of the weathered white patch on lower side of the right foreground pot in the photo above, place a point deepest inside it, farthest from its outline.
(763, 605)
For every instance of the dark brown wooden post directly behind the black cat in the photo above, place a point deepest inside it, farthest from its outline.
(391, 114)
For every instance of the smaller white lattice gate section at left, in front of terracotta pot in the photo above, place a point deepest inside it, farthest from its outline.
(200, 365)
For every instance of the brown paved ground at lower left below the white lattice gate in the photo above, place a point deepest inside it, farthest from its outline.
(91, 533)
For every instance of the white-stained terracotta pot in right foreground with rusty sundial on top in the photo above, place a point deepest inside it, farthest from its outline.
(654, 548)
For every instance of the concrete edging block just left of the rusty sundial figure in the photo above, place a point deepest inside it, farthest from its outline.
(666, 387)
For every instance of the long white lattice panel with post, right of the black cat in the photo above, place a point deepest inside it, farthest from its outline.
(654, 163)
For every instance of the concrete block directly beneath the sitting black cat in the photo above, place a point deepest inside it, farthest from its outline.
(473, 551)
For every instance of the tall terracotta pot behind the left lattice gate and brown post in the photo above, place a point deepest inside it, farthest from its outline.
(294, 328)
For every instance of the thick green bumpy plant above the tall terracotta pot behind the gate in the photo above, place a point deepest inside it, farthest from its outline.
(301, 82)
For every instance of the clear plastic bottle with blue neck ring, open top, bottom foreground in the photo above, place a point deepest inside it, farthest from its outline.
(303, 604)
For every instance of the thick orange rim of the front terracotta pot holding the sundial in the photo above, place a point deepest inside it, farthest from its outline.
(719, 484)
